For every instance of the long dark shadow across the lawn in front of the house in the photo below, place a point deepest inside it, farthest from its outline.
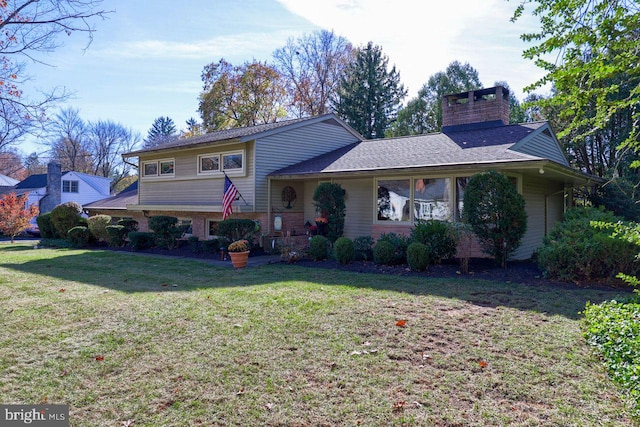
(131, 273)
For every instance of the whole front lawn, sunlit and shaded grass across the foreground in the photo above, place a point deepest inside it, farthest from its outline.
(170, 342)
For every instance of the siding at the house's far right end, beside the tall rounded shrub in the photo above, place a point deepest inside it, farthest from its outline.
(537, 195)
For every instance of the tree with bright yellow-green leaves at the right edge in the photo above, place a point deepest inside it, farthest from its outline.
(589, 50)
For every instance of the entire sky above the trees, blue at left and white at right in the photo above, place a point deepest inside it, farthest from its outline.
(146, 59)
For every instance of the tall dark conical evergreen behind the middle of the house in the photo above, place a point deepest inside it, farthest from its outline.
(370, 94)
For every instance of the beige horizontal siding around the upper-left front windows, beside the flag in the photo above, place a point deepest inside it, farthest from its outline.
(188, 188)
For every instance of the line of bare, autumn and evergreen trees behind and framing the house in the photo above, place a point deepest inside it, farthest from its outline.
(593, 103)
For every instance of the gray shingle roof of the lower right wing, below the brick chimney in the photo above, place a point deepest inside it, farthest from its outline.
(456, 148)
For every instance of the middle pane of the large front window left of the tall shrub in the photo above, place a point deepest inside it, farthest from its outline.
(431, 199)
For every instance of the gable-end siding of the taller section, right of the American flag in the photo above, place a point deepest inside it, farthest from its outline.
(291, 147)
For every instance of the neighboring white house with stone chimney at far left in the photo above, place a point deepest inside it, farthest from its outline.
(55, 187)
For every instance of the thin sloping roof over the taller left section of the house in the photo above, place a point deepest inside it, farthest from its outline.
(245, 134)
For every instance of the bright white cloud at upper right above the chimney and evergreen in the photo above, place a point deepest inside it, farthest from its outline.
(423, 38)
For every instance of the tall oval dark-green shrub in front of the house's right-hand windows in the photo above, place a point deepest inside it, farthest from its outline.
(495, 210)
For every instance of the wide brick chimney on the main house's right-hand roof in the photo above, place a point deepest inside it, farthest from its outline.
(475, 109)
